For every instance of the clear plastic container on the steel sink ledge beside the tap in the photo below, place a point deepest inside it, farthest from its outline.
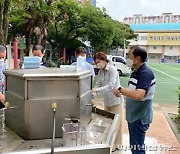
(74, 134)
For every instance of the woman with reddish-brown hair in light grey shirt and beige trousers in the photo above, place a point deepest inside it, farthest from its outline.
(108, 78)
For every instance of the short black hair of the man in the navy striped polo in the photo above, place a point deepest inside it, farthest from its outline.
(141, 53)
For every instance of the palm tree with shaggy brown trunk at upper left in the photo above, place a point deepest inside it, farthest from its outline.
(31, 19)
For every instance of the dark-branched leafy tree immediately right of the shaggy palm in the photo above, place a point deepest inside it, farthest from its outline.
(68, 24)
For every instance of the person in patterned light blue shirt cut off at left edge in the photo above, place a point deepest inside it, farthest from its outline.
(2, 76)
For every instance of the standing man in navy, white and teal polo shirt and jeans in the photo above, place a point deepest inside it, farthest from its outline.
(139, 95)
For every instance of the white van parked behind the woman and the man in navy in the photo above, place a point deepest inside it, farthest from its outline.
(120, 63)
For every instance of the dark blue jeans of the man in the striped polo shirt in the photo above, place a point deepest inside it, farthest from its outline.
(137, 132)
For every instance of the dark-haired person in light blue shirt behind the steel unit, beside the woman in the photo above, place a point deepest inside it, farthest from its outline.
(81, 51)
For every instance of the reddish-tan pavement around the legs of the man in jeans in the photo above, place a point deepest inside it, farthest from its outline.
(160, 138)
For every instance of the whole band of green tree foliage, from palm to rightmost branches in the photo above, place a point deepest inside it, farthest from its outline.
(66, 23)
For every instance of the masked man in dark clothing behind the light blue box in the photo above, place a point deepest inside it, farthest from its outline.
(38, 50)
